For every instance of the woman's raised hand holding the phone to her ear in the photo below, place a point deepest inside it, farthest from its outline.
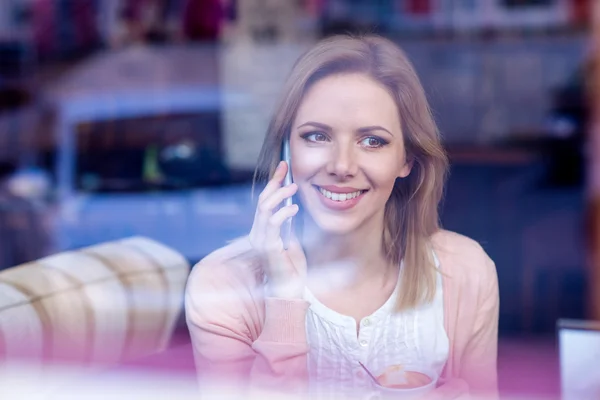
(285, 269)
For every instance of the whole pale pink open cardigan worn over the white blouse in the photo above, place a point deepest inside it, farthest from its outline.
(233, 340)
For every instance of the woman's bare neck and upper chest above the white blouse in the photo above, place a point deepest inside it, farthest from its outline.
(362, 251)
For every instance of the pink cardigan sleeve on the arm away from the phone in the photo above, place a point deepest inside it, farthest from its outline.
(479, 368)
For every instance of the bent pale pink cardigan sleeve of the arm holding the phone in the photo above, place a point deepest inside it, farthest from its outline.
(221, 316)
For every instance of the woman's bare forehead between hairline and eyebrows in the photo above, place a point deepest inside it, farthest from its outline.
(350, 99)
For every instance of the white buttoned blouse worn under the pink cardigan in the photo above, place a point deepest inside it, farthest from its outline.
(414, 337)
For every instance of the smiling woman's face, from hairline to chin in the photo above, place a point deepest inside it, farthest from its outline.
(347, 151)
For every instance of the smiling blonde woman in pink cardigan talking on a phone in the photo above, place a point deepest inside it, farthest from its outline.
(369, 276)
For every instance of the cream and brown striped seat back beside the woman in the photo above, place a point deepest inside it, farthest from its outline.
(100, 305)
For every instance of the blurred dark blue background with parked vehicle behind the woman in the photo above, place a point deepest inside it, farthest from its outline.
(145, 117)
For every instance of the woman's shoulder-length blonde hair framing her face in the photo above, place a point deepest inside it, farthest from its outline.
(411, 213)
